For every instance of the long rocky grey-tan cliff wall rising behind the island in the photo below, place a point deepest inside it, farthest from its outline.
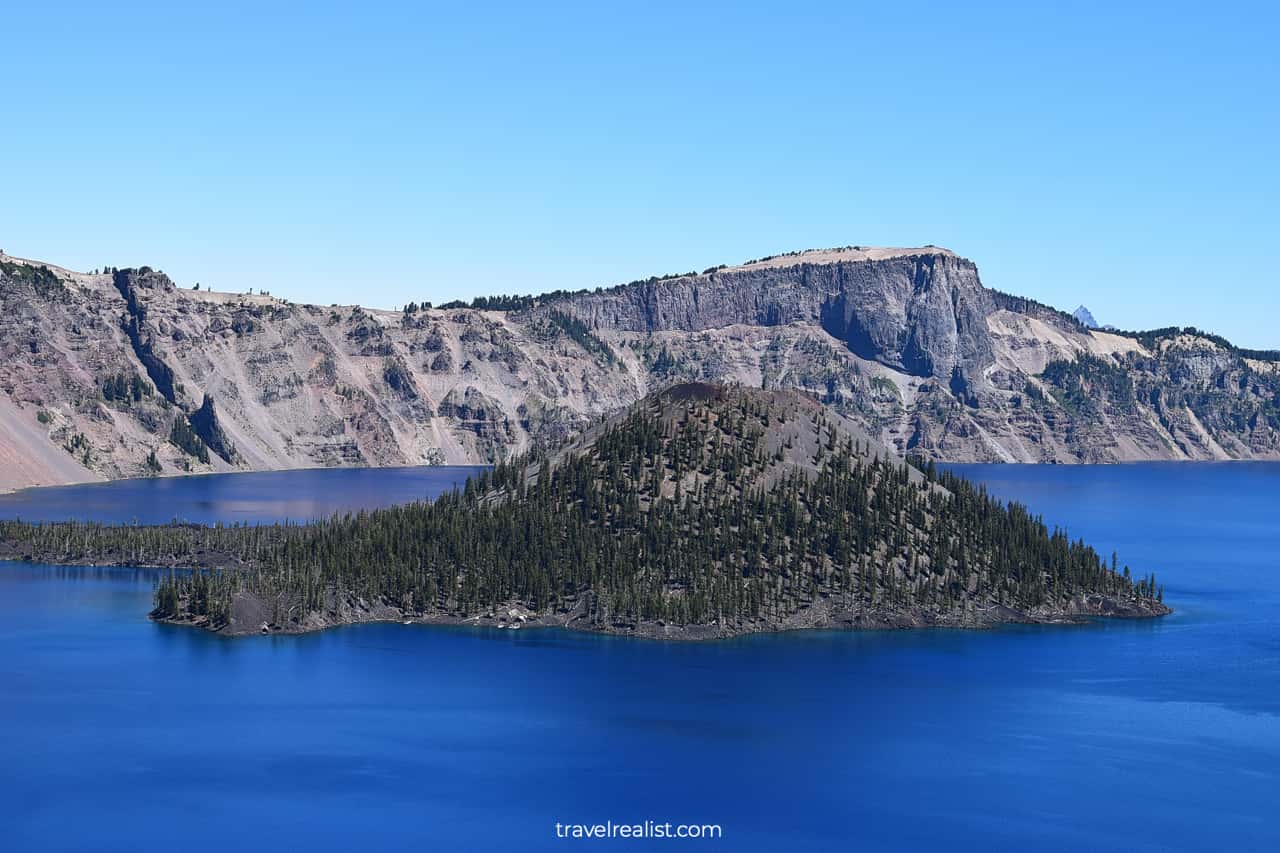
(125, 375)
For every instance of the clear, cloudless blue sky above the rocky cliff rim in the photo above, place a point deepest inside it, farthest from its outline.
(1078, 153)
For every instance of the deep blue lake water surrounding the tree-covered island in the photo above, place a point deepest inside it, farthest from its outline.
(117, 735)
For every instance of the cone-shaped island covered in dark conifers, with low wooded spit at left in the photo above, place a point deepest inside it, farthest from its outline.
(702, 512)
